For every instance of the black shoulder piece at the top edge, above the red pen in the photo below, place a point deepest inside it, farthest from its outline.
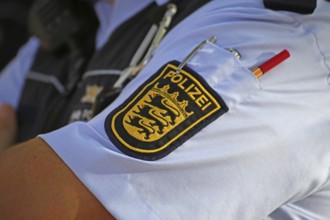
(299, 6)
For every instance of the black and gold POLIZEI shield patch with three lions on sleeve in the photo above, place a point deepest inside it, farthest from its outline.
(163, 113)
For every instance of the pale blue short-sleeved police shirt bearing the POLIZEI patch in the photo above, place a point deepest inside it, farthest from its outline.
(267, 157)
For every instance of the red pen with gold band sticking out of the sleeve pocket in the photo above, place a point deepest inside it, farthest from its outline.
(271, 63)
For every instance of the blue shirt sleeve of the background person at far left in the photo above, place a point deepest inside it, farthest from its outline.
(13, 75)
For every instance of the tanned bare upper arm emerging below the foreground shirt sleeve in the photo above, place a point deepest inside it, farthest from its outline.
(36, 184)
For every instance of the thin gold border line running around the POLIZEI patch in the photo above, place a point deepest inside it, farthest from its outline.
(171, 66)
